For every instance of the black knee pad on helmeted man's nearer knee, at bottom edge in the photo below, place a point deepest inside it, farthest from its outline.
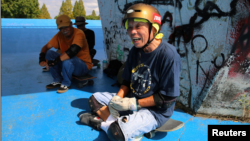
(115, 133)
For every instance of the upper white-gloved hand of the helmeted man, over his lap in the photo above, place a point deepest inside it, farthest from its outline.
(124, 104)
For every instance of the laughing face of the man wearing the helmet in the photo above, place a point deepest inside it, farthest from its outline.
(138, 32)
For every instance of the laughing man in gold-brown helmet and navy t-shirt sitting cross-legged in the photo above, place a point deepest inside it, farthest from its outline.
(147, 96)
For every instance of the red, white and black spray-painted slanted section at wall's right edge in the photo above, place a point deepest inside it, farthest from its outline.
(233, 82)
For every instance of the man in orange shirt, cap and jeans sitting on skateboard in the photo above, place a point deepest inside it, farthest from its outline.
(75, 58)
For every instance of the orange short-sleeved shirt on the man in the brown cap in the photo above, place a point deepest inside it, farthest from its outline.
(78, 37)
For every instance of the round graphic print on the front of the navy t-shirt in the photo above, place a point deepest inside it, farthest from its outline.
(141, 79)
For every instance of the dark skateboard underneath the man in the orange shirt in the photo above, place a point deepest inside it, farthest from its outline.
(88, 77)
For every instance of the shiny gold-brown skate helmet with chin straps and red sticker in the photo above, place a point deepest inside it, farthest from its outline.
(141, 11)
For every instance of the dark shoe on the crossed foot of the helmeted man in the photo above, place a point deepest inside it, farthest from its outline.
(91, 120)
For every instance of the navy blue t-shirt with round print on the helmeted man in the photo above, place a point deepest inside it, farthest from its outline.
(159, 71)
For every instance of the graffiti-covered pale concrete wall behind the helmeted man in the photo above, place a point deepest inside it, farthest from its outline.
(208, 35)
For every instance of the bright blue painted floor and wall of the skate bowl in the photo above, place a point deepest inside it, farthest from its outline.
(30, 112)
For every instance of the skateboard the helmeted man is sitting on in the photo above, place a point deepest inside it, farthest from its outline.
(170, 125)
